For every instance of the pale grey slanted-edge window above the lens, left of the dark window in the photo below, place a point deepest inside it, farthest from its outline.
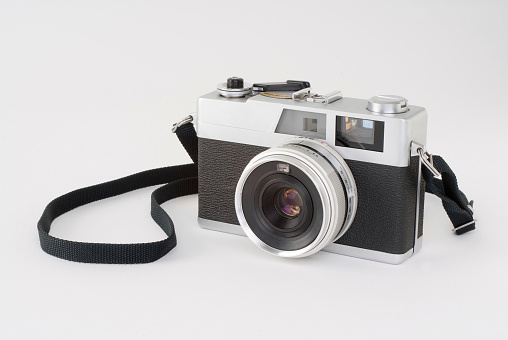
(302, 123)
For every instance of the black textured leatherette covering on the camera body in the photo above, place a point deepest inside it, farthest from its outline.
(387, 196)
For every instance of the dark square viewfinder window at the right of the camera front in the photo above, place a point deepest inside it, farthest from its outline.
(359, 133)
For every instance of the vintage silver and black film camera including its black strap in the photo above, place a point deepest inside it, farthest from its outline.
(296, 172)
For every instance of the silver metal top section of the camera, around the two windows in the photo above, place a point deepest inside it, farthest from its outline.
(253, 120)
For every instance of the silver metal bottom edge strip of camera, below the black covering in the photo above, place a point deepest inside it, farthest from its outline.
(340, 249)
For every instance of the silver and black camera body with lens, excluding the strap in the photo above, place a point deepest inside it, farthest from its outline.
(299, 172)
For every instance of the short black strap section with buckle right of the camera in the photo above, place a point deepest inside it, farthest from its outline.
(455, 202)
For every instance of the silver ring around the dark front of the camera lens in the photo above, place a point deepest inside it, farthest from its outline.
(332, 179)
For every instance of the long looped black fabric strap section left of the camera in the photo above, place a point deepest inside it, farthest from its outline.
(181, 180)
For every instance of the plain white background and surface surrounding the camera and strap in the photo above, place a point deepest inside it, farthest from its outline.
(88, 93)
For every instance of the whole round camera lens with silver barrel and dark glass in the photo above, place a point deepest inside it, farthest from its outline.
(302, 209)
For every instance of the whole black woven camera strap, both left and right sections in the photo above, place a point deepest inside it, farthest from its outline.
(182, 180)
